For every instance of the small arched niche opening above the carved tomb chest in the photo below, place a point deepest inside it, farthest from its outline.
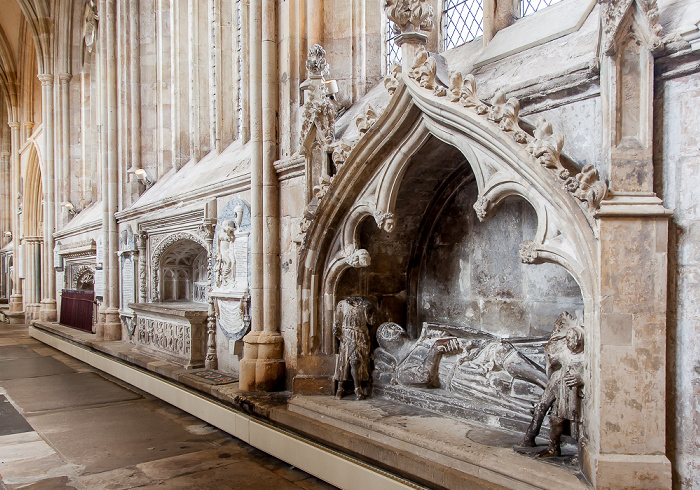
(183, 273)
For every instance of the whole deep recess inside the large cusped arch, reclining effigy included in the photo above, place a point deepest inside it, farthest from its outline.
(462, 315)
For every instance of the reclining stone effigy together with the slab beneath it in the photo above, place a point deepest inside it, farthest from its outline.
(460, 371)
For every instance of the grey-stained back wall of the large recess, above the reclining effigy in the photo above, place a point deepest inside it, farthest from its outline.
(473, 276)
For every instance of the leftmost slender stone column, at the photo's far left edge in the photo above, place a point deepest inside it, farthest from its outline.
(16, 305)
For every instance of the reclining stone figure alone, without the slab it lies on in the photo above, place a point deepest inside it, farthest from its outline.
(400, 360)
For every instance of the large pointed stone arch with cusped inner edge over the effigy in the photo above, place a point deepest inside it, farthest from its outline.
(369, 183)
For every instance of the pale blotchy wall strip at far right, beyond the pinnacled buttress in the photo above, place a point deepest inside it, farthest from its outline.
(677, 180)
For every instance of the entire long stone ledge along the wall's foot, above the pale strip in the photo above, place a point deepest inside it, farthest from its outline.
(432, 450)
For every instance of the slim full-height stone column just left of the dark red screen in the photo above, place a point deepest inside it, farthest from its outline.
(48, 303)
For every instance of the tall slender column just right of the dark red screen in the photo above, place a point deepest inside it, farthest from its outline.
(112, 327)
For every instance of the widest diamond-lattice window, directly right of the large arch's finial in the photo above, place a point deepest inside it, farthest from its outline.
(462, 21)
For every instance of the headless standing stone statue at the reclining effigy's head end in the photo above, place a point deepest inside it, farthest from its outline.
(353, 316)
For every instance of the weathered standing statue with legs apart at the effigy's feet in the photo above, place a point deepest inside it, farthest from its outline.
(565, 361)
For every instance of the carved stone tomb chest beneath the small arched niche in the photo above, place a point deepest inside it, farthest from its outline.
(174, 331)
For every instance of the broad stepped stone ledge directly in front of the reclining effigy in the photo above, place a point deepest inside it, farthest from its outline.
(431, 449)
